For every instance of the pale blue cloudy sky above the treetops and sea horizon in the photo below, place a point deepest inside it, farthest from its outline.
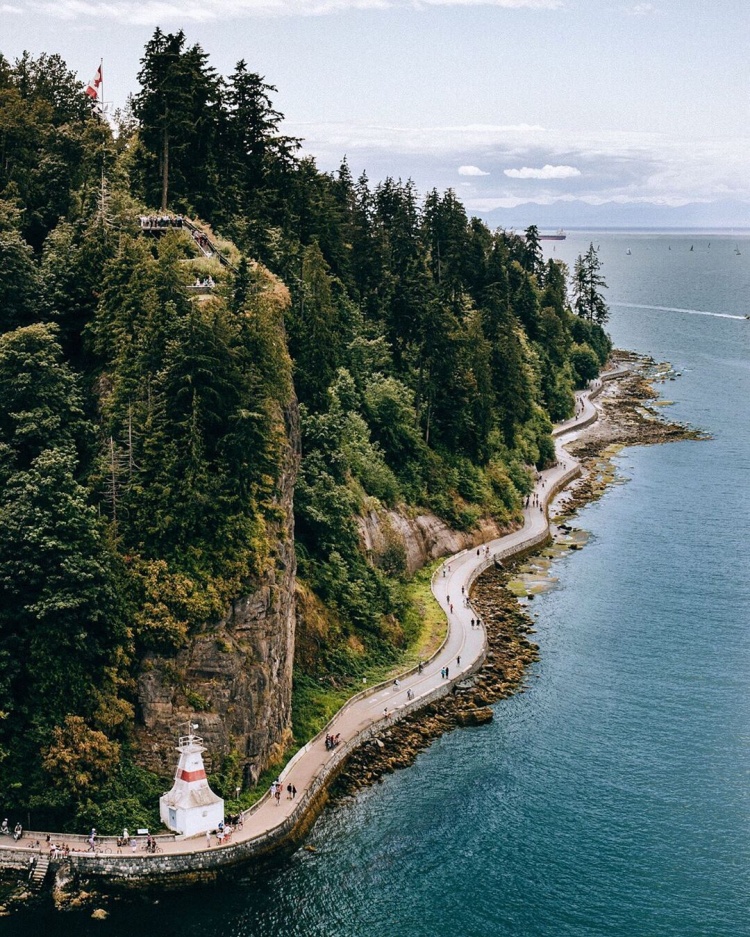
(557, 112)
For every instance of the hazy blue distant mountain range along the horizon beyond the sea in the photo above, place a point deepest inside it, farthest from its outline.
(724, 214)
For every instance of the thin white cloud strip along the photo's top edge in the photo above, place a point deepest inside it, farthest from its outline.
(149, 12)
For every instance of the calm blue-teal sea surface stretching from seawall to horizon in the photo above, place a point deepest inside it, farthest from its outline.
(613, 797)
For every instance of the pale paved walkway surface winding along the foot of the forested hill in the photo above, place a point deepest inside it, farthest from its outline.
(462, 652)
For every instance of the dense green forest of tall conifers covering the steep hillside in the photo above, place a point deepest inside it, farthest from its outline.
(143, 427)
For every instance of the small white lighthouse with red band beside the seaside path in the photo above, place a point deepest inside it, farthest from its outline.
(191, 807)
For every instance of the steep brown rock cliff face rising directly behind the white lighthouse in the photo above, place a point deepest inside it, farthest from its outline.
(235, 678)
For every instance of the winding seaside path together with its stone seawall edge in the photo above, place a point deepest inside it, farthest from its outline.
(369, 712)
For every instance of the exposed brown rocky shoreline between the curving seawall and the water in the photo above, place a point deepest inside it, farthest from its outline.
(627, 417)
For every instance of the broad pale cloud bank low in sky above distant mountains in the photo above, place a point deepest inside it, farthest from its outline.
(625, 167)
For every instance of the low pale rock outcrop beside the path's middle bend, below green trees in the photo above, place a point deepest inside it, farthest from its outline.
(419, 539)
